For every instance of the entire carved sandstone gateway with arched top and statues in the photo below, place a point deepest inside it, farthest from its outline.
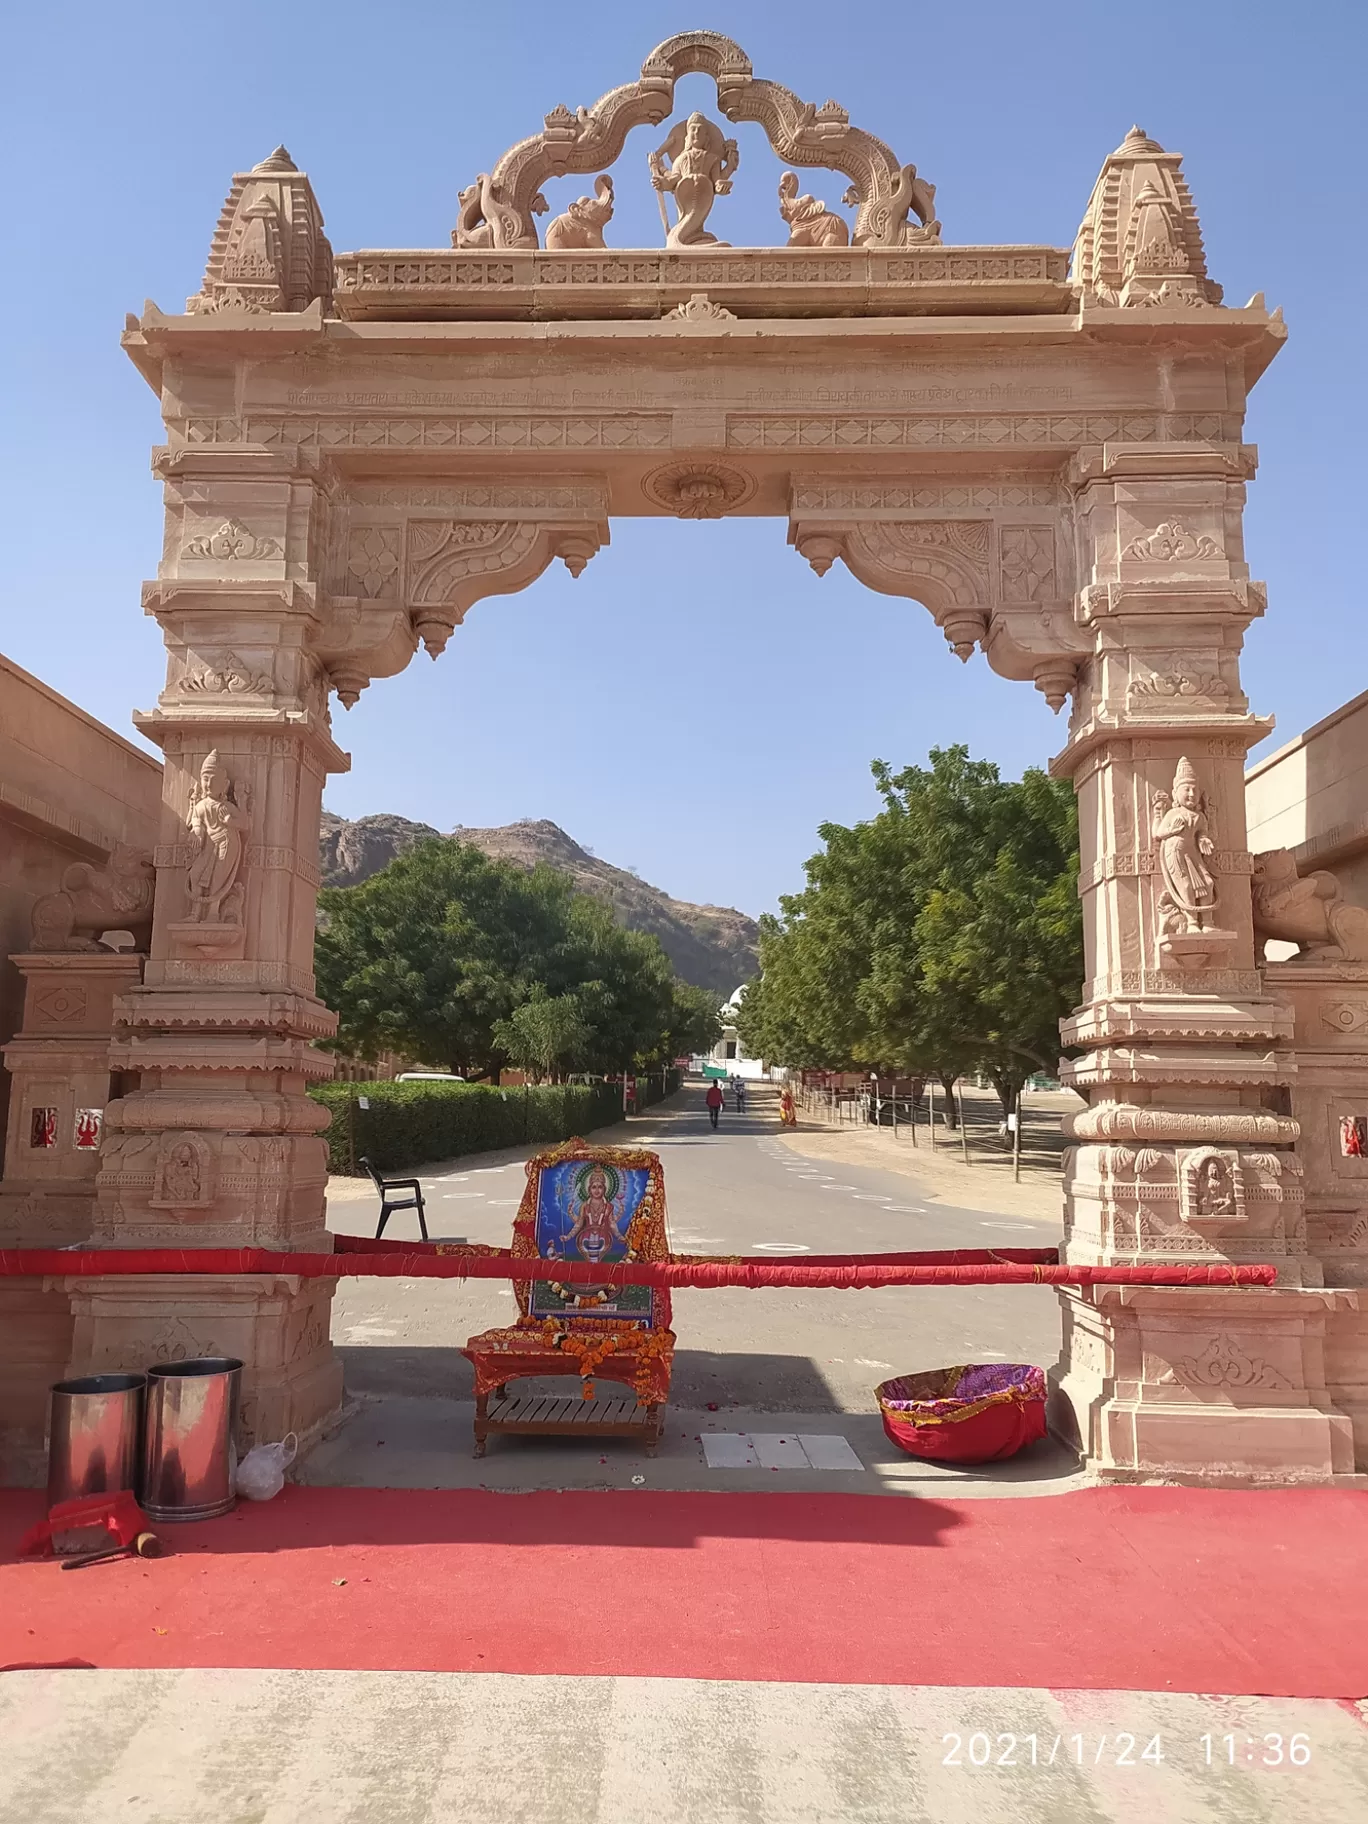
(1042, 448)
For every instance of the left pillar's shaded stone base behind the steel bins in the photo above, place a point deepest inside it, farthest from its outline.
(275, 1323)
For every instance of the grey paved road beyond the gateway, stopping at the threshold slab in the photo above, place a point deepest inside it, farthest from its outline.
(740, 1190)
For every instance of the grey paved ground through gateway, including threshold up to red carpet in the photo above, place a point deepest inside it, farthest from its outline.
(763, 1360)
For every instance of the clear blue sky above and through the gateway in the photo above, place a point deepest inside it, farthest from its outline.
(754, 694)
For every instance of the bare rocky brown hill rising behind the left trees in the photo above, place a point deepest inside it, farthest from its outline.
(712, 948)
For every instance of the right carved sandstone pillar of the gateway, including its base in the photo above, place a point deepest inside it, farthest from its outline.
(1187, 1148)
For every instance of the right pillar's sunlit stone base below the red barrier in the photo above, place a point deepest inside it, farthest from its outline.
(1208, 1387)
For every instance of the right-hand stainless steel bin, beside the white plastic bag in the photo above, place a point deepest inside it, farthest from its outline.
(189, 1456)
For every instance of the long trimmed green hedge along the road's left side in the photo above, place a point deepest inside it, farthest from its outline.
(413, 1124)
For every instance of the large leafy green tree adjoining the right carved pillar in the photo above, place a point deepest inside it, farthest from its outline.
(940, 937)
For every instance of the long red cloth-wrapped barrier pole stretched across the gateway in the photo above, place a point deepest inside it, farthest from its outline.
(818, 1274)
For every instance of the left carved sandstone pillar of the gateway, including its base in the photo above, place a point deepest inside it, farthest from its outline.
(220, 1145)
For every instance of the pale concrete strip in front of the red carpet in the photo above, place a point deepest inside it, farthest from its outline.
(488, 1748)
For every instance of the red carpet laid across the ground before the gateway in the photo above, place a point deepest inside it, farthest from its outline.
(1145, 1590)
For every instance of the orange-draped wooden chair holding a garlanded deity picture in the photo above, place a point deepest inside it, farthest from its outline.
(597, 1205)
